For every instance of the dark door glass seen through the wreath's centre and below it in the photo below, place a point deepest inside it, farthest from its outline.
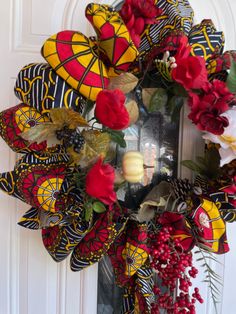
(156, 136)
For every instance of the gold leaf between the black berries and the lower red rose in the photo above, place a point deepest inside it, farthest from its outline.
(96, 144)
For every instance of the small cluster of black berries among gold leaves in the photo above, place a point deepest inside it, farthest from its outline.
(71, 137)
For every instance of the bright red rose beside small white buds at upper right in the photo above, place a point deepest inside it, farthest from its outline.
(190, 72)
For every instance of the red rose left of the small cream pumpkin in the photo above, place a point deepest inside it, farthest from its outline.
(100, 182)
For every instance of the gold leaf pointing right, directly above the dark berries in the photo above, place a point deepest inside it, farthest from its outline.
(64, 116)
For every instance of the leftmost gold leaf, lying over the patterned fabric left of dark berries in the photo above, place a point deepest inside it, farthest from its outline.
(39, 133)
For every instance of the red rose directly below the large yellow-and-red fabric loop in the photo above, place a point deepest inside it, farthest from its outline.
(110, 109)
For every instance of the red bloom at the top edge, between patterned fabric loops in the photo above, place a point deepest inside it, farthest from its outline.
(136, 14)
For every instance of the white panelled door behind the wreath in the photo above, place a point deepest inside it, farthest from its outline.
(30, 282)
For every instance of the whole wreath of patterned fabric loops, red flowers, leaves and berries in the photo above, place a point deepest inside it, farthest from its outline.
(147, 57)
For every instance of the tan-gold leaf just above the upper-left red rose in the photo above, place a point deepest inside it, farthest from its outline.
(126, 82)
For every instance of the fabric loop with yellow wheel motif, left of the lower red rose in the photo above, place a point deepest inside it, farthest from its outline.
(37, 180)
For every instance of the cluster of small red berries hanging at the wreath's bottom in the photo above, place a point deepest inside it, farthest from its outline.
(174, 269)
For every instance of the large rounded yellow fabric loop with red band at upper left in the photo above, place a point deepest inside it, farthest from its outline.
(71, 54)
